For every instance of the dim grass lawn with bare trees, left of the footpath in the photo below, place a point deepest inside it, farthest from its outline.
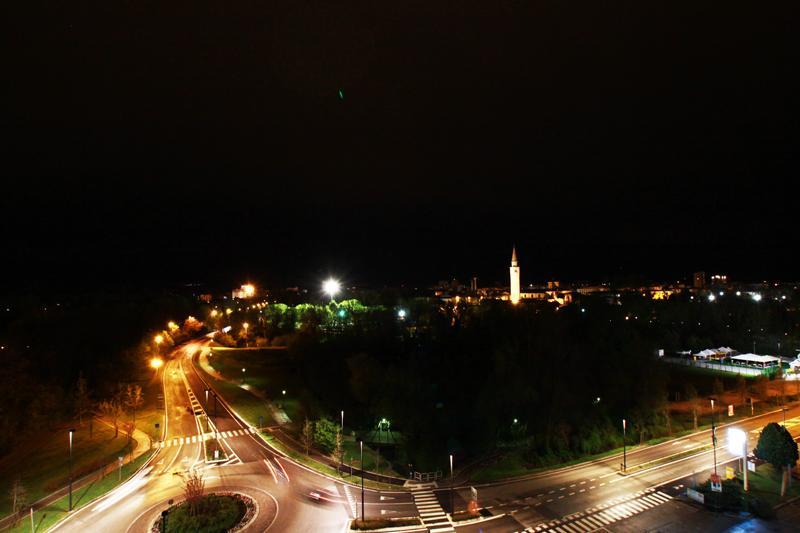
(42, 463)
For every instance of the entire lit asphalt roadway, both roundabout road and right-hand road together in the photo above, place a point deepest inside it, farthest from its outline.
(583, 497)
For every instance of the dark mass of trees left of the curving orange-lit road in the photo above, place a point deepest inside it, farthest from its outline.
(63, 353)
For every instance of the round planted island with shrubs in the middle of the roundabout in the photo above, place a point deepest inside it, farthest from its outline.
(214, 513)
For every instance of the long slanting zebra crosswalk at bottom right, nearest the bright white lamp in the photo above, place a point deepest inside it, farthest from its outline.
(605, 514)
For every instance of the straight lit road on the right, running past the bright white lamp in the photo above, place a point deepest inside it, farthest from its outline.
(595, 495)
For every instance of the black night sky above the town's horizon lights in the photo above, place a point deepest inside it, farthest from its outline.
(156, 142)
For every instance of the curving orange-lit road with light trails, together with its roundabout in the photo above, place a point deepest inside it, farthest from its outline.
(279, 486)
